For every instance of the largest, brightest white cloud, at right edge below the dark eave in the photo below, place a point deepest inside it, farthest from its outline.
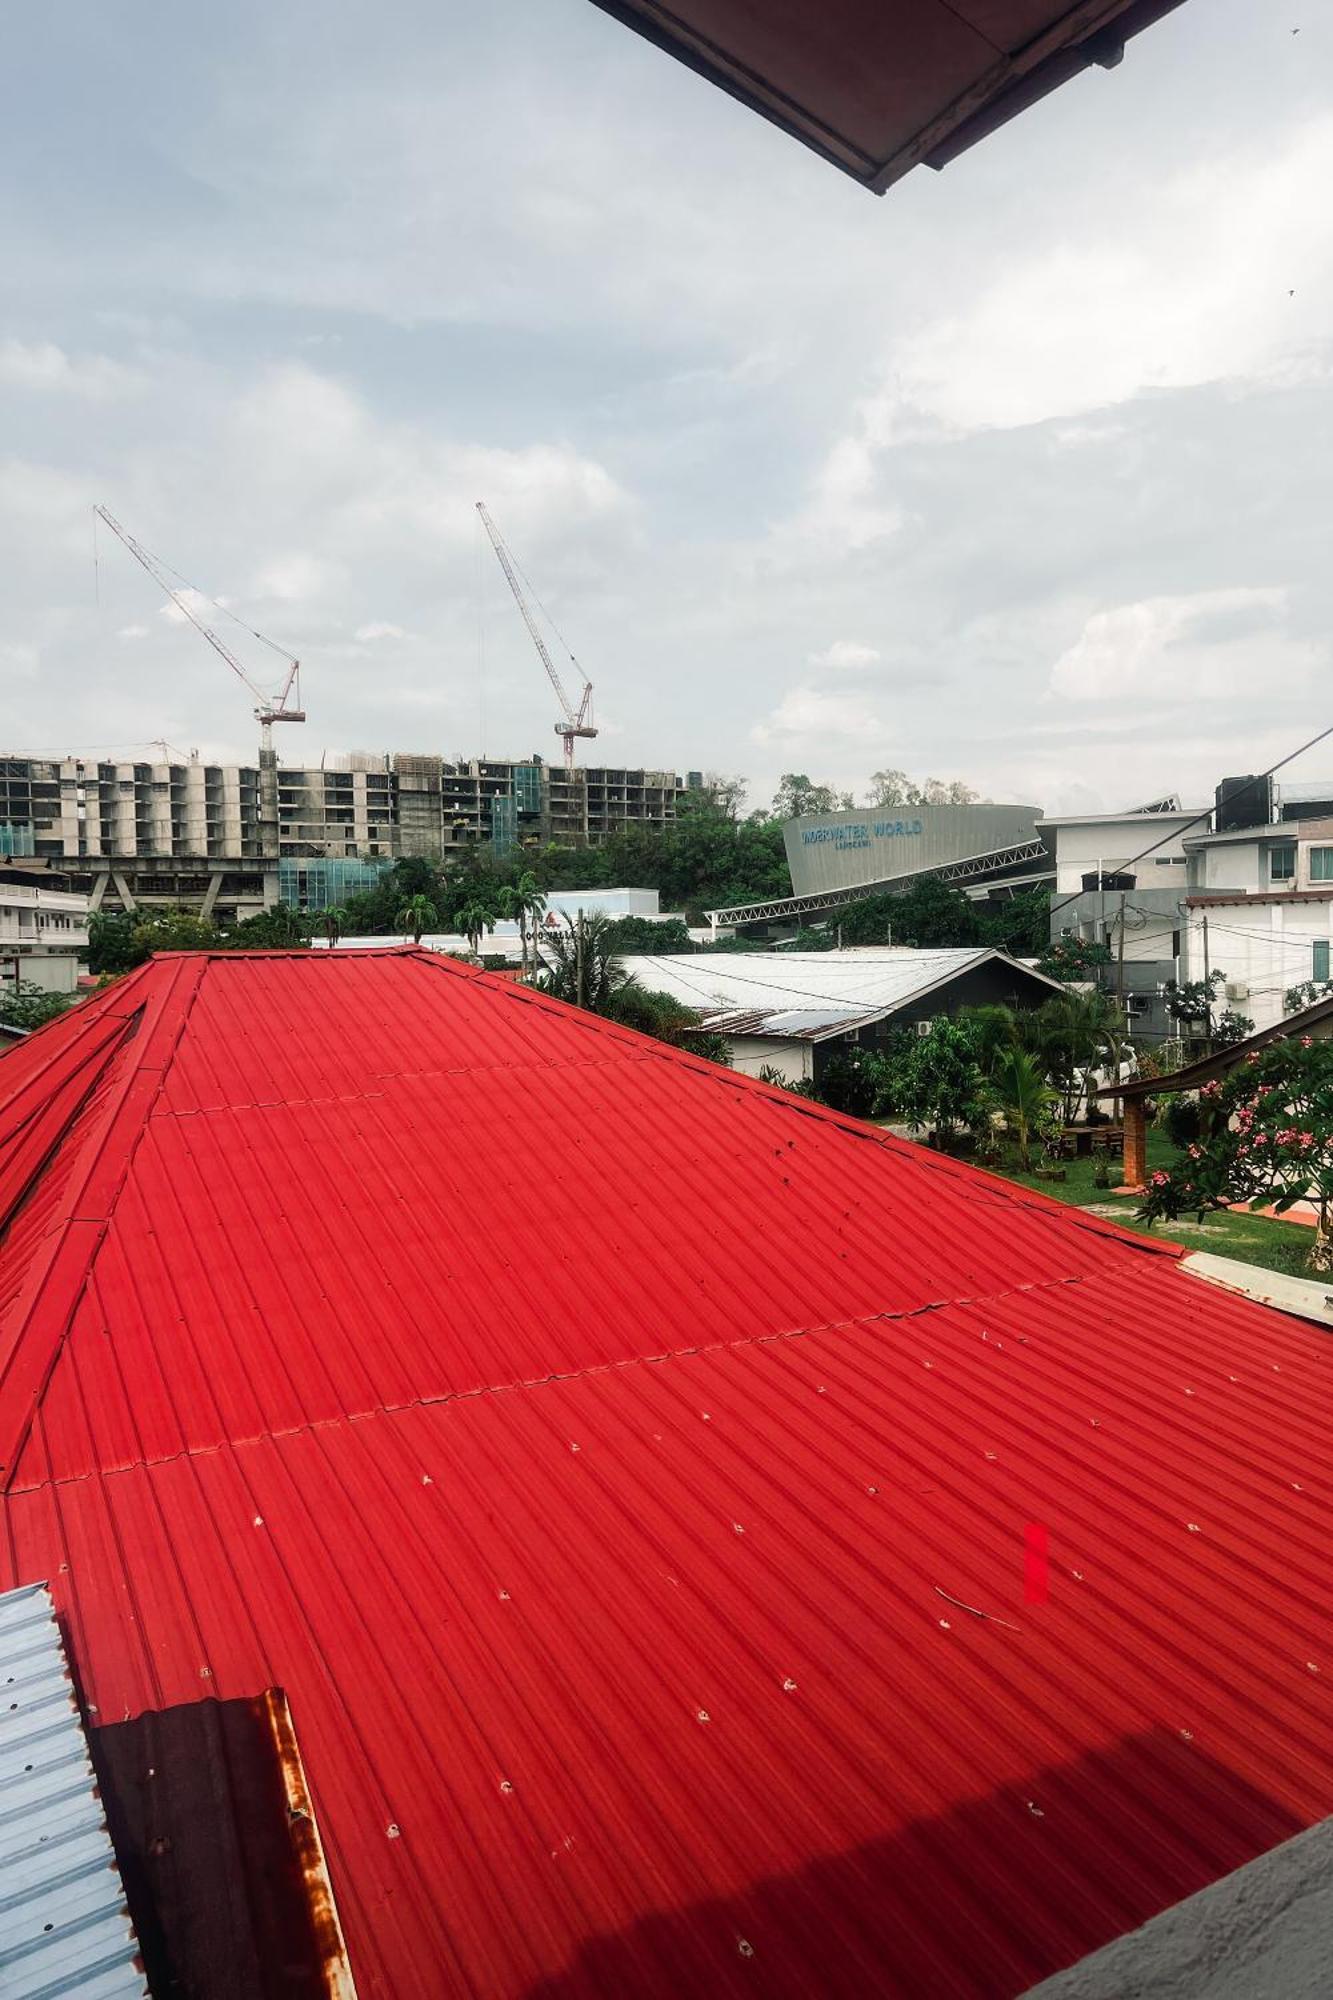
(1216, 275)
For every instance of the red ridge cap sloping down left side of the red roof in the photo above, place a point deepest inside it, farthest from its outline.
(59, 1275)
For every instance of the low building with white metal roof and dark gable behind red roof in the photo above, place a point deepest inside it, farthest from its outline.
(792, 1011)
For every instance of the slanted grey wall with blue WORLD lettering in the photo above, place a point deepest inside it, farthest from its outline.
(844, 849)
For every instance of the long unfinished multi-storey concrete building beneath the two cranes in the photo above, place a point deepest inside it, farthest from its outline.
(211, 835)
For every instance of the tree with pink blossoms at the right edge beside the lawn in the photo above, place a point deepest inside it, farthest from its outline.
(1270, 1139)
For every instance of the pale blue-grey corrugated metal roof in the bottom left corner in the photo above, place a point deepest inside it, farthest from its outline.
(65, 1927)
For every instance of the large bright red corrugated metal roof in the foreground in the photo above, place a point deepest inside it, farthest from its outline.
(625, 1471)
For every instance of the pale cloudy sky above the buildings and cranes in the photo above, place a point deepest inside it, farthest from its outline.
(1020, 475)
